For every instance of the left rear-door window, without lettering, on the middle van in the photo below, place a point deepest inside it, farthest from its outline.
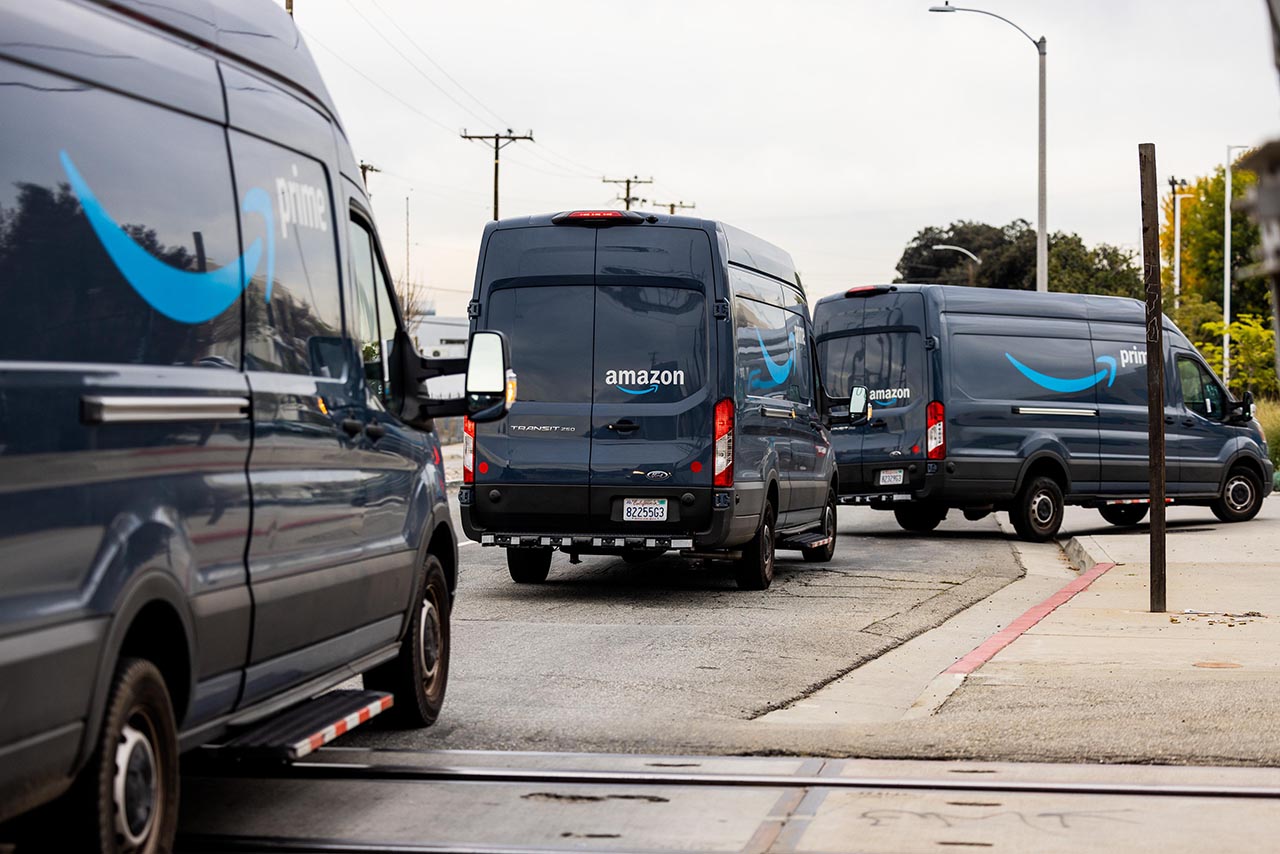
(550, 334)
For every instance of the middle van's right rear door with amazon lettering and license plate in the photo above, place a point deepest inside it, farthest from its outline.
(653, 392)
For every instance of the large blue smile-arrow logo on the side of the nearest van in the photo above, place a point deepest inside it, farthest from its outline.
(179, 295)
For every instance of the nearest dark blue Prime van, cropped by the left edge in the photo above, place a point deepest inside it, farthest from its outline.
(221, 494)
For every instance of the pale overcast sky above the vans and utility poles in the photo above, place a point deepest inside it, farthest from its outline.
(834, 129)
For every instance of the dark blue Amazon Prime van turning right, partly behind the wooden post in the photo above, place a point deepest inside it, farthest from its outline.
(994, 400)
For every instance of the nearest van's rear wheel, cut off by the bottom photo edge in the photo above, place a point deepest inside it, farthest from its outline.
(126, 800)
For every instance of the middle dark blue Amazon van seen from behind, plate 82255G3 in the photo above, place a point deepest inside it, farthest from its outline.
(669, 398)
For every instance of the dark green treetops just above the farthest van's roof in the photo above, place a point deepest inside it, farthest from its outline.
(1009, 261)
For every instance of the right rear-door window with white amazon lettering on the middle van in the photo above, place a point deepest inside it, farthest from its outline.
(651, 344)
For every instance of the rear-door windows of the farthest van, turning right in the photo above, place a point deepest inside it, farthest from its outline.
(890, 364)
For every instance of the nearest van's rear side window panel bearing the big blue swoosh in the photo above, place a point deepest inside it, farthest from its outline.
(118, 239)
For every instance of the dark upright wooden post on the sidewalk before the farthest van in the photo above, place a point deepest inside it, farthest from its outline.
(1155, 368)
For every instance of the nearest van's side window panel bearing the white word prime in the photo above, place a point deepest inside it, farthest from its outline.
(292, 321)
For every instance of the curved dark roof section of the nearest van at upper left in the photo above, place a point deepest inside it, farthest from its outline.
(258, 34)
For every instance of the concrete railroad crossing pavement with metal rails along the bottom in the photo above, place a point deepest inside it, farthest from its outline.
(369, 801)
